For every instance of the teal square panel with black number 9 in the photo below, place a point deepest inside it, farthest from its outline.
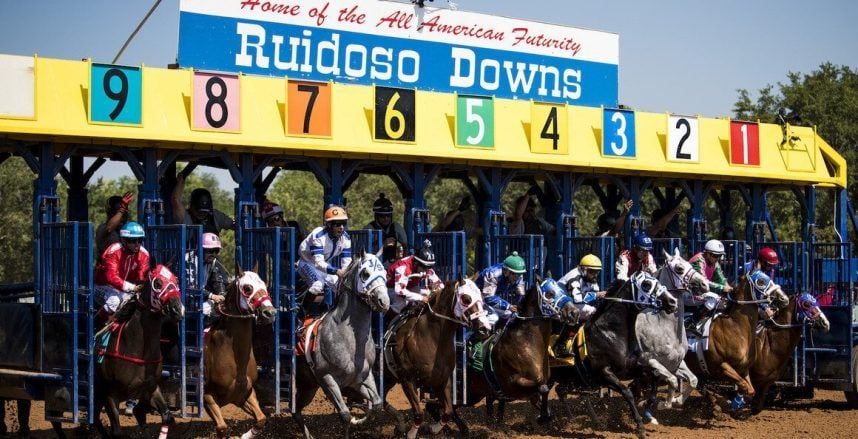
(115, 95)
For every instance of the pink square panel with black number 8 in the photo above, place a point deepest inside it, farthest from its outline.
(216, 102)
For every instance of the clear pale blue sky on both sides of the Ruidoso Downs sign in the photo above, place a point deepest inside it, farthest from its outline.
(687, 57)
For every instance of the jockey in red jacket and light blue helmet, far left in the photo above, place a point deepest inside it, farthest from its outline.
(122, 269)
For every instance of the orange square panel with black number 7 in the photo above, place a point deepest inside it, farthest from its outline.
(308, 108)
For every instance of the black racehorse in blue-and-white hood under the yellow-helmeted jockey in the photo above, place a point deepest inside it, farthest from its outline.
(611, 354)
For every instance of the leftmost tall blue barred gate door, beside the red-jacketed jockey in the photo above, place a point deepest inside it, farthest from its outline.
(65, 292)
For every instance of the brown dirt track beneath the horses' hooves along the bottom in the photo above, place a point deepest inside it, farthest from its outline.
(827, 415)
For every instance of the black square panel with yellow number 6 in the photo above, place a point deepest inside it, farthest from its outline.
(395, 114)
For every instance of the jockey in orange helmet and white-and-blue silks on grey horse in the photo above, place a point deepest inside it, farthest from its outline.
(320, 248)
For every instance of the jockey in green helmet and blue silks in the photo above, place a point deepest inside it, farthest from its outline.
(502, 279)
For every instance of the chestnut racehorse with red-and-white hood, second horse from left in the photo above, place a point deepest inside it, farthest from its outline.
(230, 367)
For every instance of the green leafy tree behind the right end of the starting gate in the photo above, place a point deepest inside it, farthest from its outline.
(826, 98)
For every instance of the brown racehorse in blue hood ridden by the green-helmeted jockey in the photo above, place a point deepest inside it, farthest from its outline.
(516, 366)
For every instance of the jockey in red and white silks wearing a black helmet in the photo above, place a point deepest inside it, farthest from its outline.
(411, 279)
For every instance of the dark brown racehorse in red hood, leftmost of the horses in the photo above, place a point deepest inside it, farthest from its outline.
(128, 354)
